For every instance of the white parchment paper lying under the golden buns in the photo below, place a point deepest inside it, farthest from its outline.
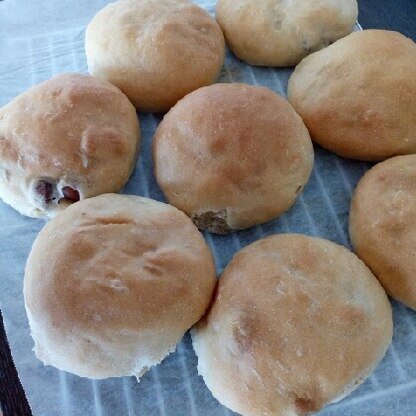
(40, 38)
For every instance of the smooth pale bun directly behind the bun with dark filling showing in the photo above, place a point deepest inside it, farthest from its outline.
(155, 51)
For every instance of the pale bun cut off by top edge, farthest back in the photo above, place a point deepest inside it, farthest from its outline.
(277, 33)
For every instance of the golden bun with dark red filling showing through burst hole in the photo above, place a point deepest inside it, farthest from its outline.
(66, 139)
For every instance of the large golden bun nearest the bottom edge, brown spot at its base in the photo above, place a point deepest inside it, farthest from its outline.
(296, 323)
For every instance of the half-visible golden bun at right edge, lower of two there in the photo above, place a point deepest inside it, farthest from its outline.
(383, 225)
